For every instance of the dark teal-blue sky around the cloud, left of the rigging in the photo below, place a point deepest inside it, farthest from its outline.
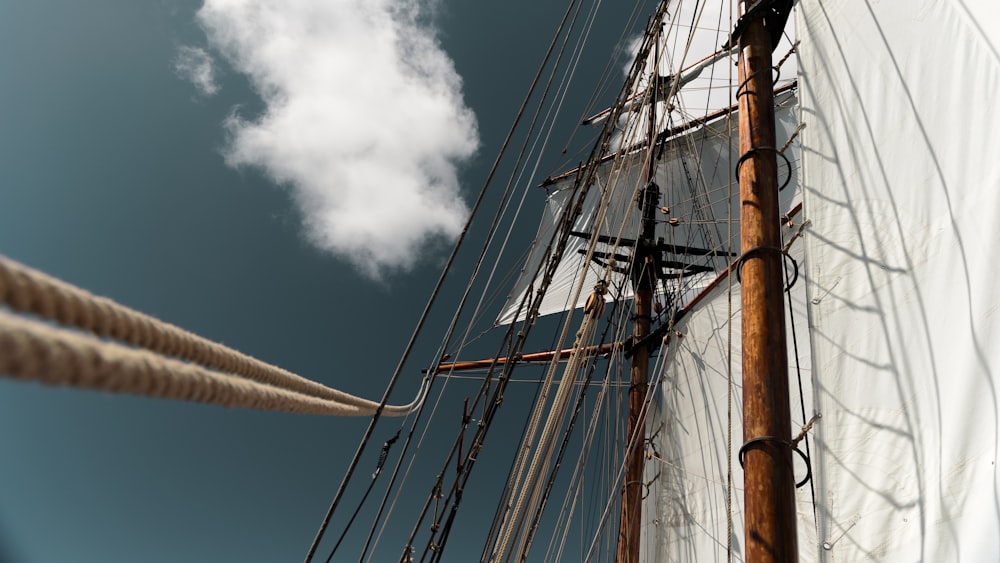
(112, 177)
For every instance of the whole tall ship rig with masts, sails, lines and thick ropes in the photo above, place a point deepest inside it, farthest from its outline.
(754, 322)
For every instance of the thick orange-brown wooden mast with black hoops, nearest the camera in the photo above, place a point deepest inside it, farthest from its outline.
(769, 497)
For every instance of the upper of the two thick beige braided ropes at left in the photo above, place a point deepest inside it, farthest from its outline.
(27, 290)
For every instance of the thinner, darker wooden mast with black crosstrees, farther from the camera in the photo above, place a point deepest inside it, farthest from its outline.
(645, 267)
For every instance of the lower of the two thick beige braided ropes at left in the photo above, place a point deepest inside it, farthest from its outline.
(38, 351)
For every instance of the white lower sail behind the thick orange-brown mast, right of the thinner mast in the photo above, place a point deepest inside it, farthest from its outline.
(685, 511)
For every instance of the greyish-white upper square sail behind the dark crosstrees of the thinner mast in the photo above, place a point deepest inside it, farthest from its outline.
(695, 175)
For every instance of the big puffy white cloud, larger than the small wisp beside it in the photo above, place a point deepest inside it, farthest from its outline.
(363, 118)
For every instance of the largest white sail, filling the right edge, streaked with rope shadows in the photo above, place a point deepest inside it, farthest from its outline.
(902, 185)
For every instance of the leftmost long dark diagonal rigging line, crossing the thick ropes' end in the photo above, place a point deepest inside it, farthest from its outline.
(430, 302)
